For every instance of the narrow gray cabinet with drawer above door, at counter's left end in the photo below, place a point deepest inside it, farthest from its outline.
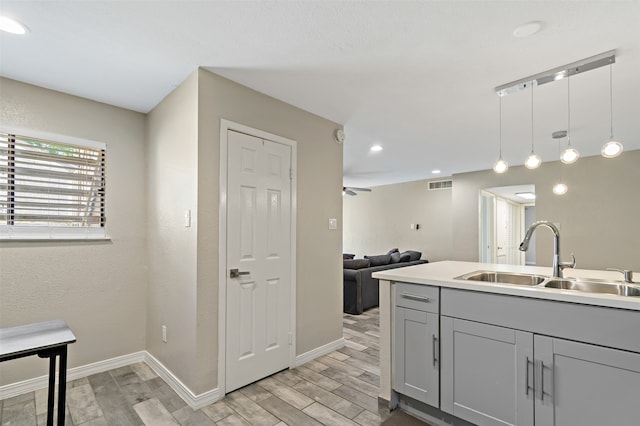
(416, 354)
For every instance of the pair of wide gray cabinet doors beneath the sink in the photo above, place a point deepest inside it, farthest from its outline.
(495, 375)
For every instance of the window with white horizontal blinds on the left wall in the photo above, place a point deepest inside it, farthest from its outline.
(51, 189)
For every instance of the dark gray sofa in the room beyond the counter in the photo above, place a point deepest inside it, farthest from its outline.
(361, 290)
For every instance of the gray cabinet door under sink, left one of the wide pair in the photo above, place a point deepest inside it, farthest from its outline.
(486, 373)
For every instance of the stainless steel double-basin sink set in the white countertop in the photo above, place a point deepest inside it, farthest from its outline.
(582, 285)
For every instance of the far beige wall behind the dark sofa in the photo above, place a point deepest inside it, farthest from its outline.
(377, 221)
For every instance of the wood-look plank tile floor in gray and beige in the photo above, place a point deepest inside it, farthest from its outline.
(337, 389)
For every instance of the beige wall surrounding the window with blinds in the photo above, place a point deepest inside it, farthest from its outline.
(99, 288)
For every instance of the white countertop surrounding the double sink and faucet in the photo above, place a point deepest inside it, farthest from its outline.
(442, 274)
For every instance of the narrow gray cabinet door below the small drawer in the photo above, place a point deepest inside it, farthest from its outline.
(416, 369)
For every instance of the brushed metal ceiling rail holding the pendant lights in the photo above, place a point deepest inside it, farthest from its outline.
(587, 64)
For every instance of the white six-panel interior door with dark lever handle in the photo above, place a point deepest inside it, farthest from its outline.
(258, 304)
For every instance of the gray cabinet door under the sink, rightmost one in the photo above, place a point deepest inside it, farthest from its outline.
(585, 385)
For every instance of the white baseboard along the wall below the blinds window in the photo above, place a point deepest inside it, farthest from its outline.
(30, 385)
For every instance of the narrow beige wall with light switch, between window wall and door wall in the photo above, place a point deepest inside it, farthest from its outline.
(172, 167)
